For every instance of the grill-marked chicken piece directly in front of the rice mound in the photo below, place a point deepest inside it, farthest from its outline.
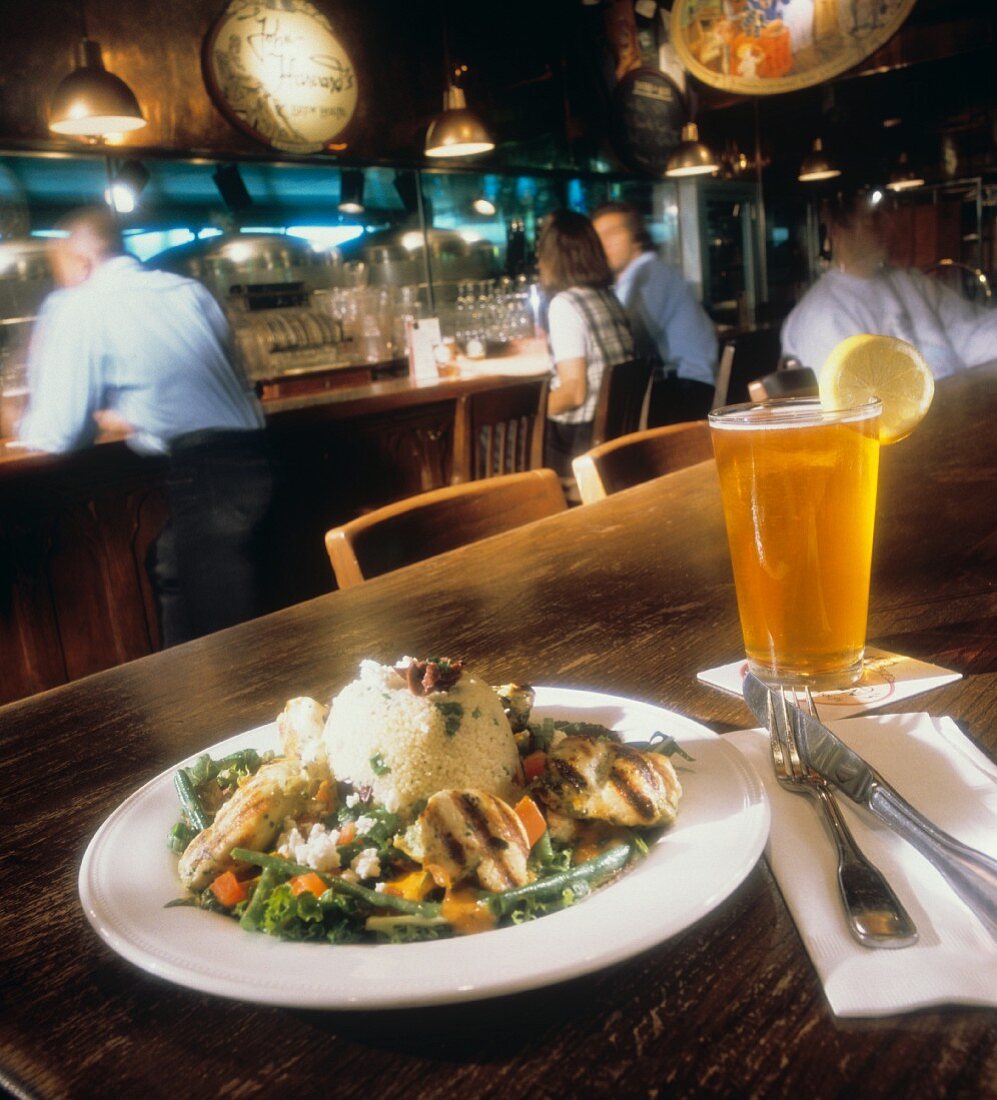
(474, 833)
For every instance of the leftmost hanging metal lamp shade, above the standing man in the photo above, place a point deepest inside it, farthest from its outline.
(92, 102)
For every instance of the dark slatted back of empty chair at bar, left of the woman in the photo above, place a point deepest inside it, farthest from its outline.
(500, 432)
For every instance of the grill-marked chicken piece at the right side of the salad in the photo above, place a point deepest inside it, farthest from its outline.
(591, 777)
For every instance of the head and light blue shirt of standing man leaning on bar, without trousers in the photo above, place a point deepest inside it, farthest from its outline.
(152, 348)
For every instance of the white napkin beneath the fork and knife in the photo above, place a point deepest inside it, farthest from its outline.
(949, 780)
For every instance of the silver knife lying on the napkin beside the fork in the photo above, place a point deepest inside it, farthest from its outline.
(971, 874)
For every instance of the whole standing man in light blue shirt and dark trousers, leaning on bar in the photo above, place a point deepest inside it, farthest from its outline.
(152, 354)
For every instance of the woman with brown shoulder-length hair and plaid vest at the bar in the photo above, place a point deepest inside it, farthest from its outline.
(588, 331)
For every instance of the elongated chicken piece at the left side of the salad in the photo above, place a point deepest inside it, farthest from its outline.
(251, 819)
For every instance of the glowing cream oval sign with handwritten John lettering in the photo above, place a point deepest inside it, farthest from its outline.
(277, 71)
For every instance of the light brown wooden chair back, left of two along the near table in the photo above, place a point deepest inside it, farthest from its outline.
(443, 520)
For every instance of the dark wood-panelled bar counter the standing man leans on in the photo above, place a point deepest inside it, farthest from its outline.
(75, 531)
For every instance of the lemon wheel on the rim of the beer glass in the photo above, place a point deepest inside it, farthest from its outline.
(865, 367)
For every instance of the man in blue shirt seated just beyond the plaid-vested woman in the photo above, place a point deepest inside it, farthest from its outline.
(670, 325)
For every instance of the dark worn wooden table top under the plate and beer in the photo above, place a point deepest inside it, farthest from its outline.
(632, 596)
